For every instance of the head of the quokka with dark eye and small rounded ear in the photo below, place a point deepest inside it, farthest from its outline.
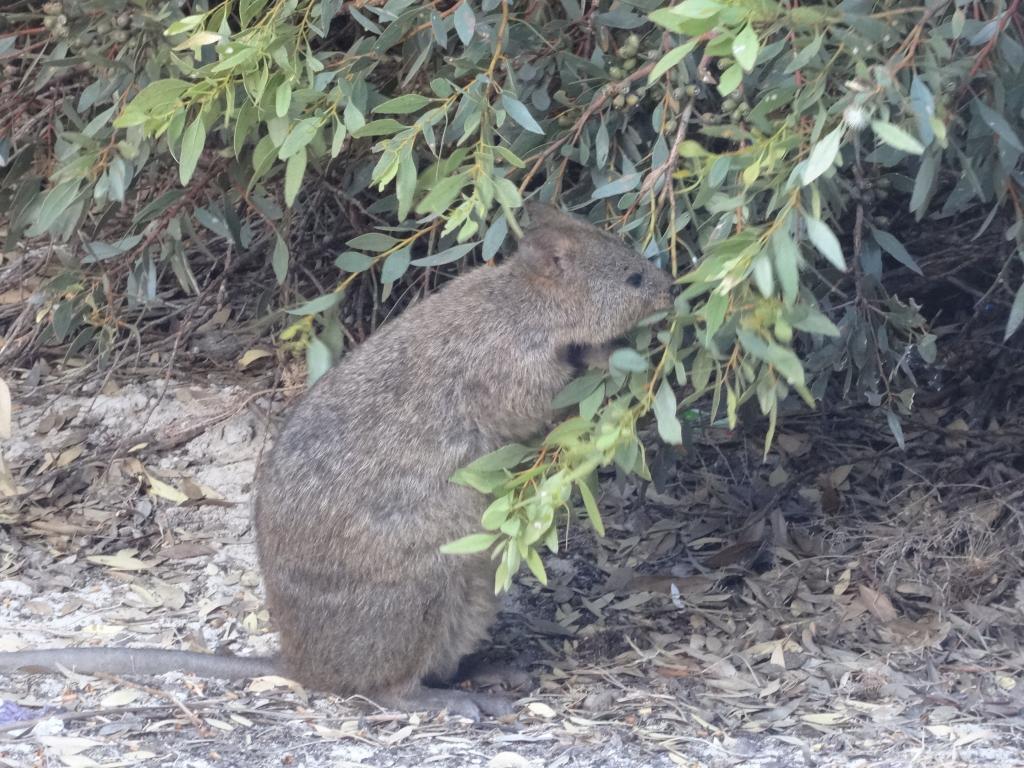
(606, 287)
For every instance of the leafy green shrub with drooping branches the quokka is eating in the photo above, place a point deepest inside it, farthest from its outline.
(767, 154)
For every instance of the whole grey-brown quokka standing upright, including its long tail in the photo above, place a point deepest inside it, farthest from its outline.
(354, 502)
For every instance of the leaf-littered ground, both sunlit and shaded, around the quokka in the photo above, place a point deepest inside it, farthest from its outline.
(845, 604)
